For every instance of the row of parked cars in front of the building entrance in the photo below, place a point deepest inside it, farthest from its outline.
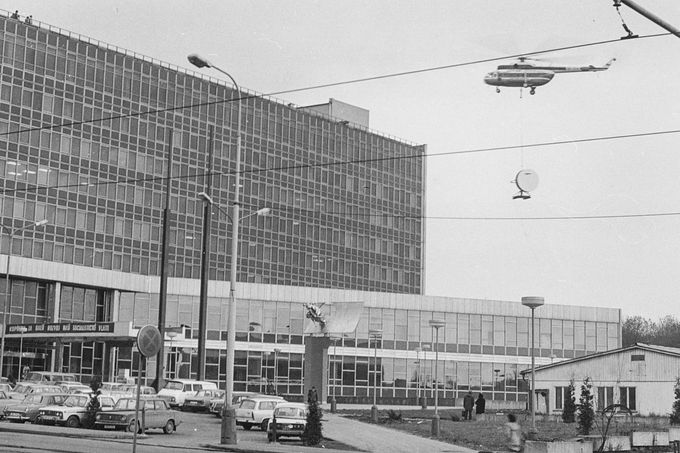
(66, 403)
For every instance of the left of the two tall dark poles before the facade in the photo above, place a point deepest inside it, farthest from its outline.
(165, 252)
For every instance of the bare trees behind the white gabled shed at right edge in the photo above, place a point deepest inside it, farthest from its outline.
(664, 332)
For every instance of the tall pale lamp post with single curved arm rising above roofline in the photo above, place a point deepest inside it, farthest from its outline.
(228, 431)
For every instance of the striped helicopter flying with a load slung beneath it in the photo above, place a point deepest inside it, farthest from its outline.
(530, 73)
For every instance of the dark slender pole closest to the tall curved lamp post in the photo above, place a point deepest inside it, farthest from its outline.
(205, 263)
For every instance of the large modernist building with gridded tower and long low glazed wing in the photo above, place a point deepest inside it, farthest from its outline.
(90, 135)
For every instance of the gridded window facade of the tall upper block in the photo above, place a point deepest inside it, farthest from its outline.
(85, 137)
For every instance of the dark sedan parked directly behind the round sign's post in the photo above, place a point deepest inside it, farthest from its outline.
(157, 414)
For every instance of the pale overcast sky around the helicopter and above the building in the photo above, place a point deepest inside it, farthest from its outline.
(603, 226)
